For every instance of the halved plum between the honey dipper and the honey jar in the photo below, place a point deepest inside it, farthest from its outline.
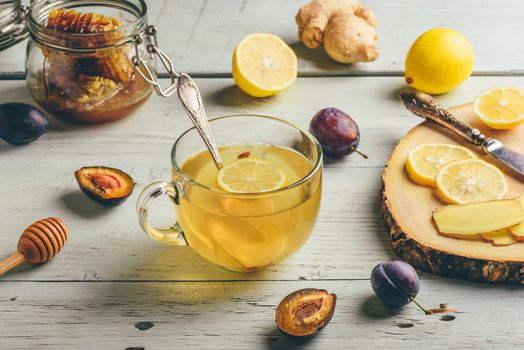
(108, 186)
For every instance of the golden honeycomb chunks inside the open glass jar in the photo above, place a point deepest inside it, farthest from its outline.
(111, 63)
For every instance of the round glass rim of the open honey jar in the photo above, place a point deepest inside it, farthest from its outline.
(48, 37)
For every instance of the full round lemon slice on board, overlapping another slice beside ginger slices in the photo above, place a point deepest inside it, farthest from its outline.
(470, 181)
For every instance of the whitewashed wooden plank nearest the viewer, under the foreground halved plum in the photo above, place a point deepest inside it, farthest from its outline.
(241, 316)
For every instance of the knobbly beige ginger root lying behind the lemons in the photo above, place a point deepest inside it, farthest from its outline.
(345, 27)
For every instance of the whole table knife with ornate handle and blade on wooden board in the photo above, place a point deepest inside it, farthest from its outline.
(427, 107)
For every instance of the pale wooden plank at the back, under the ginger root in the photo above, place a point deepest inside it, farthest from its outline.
(200, 35)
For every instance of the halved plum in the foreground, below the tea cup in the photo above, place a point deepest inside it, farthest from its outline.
(305, 312)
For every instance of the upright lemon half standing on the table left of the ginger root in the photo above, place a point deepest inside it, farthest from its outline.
(263, 64)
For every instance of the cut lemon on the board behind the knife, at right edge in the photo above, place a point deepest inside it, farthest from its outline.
(501, 107)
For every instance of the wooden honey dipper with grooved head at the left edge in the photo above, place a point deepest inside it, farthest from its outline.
(39, 243)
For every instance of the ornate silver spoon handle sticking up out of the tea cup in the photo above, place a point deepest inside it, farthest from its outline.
(192, 102)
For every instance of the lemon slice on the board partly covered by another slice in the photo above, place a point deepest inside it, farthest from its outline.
(425, 161)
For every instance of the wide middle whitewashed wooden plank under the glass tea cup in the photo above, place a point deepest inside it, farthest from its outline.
(37, 181)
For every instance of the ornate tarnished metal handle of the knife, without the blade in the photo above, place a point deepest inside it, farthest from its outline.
(427, 107)
